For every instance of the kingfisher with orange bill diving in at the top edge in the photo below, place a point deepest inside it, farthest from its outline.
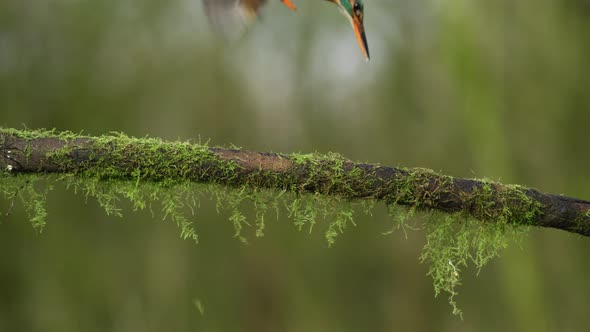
(230, 16)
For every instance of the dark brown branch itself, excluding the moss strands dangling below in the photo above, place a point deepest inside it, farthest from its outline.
(124, 158)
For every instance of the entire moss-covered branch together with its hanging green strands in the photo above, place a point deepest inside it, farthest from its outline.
(471, 220)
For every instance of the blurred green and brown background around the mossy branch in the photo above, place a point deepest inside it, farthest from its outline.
(472, 88)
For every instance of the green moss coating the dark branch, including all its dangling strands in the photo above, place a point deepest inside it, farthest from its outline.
(163, 183)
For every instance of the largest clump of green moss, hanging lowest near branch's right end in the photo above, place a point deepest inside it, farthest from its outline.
(454, 241)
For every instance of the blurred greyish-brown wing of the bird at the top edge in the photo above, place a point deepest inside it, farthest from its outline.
(229, 17)
